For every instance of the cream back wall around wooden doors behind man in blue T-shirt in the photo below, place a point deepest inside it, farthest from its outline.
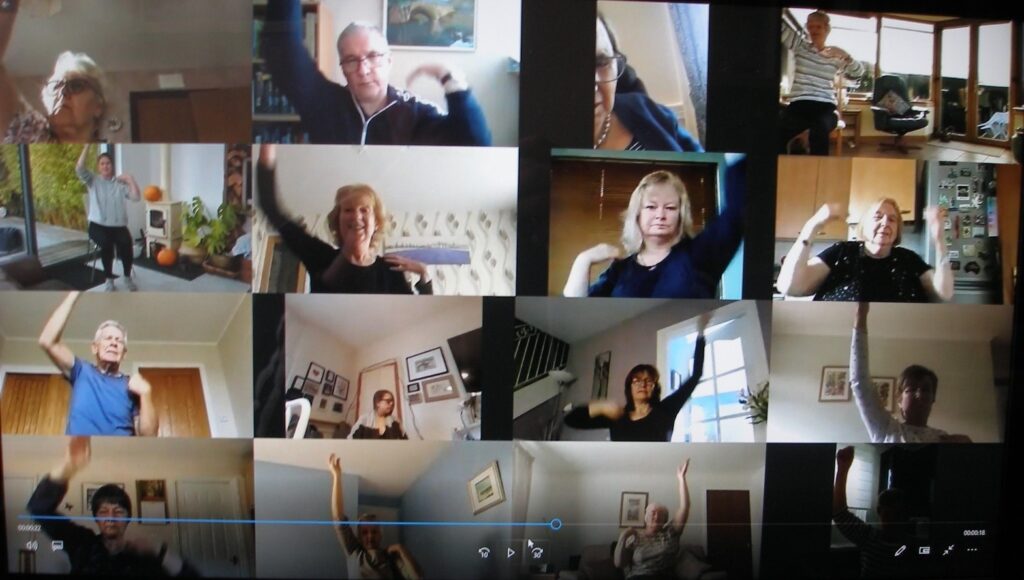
(219, 390)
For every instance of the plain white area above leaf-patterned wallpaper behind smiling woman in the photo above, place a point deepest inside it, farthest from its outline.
(408, 179)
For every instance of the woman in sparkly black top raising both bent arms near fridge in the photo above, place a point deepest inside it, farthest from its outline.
(874, 269)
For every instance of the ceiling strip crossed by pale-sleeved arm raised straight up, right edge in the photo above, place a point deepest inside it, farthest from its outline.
(934, 322)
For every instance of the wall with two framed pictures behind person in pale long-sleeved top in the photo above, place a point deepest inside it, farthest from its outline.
(966, 401)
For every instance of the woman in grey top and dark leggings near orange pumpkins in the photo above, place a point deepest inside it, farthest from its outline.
(109, 215)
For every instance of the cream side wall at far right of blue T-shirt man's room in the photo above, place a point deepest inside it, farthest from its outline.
(236, 351)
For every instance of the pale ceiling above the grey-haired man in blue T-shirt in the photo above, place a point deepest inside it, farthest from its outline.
(149, 317)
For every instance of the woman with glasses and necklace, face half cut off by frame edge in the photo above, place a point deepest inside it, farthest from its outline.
(627, 119)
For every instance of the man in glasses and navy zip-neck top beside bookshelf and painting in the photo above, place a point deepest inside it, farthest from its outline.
(368, 110)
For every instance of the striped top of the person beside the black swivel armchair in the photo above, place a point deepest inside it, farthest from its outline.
(816, 74)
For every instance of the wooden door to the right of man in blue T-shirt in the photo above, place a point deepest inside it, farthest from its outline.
(178, 395)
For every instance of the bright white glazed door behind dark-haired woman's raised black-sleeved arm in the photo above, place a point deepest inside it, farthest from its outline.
(735, 359)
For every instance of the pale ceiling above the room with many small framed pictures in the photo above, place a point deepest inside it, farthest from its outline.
(364, 320)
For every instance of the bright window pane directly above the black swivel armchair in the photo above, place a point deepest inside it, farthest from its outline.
(907, 49)
